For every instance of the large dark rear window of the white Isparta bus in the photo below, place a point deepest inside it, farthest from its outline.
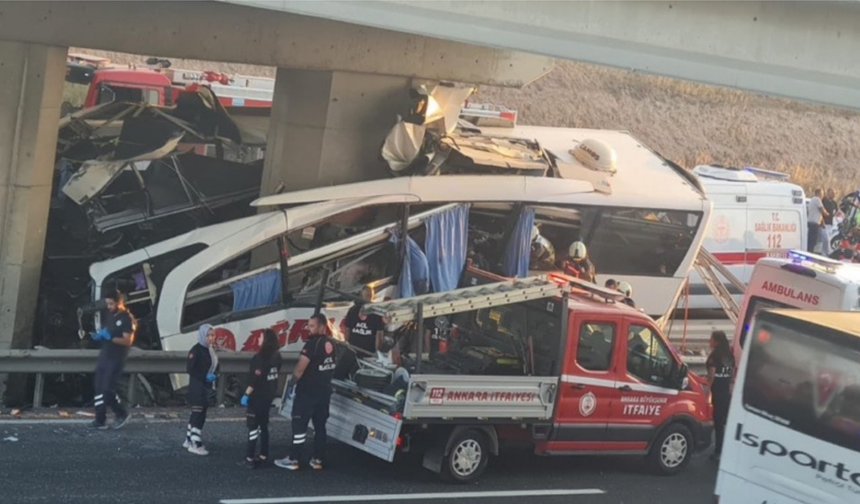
(804, 383)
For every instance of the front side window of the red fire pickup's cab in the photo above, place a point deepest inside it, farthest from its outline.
(648, 358)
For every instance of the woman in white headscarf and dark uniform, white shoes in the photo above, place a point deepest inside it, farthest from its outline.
(202, 365)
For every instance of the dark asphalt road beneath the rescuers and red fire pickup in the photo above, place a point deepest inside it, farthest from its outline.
(145, 463)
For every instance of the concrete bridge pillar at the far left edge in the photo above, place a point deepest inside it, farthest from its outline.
(31, 91)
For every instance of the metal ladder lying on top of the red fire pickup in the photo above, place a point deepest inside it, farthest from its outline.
(467, 299)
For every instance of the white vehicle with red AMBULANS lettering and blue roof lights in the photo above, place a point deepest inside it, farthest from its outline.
(802, 281)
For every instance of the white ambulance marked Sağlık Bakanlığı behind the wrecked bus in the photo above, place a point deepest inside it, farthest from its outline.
(757, 213)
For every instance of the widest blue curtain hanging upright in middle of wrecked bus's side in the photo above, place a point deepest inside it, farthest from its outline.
(446, 243)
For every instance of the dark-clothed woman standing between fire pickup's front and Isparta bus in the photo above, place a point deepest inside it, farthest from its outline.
(721, 368)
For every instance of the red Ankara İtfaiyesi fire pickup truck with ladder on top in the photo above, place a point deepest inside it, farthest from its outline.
(555, 362)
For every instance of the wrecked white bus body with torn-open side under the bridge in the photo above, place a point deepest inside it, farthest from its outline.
(649, 227)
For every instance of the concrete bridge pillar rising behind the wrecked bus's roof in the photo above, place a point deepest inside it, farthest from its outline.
(327, 127)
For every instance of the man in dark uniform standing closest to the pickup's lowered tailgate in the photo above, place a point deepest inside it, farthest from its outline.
(312, 380)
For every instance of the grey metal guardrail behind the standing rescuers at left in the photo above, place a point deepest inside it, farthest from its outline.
(42, 362)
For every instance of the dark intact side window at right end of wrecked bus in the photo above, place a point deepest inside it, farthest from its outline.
(641, 242)
